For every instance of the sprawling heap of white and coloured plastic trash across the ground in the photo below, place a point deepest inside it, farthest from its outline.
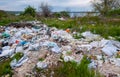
(36, 40)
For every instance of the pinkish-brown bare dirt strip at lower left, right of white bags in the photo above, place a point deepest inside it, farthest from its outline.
(27, 67)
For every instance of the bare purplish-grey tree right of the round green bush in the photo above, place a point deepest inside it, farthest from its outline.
(45, 9)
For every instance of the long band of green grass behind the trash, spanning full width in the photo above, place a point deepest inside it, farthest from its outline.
(104, 26)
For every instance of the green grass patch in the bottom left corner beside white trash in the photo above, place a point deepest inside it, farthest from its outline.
(5, 65)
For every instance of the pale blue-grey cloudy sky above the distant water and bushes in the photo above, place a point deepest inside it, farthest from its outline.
(57, 5)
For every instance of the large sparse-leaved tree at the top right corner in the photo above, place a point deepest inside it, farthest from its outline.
(103, 6)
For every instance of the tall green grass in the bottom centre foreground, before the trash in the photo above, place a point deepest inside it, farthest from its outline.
(71, 69)
